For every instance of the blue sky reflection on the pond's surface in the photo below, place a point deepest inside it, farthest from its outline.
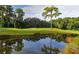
(35, 47)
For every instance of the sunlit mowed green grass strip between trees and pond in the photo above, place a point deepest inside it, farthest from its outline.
(32, 31)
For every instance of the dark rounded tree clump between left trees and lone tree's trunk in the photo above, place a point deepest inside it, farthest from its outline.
(35, 23)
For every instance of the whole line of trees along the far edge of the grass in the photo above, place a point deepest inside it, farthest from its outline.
(10, 18)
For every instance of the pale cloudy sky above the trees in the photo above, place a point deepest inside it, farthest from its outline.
(36, 10)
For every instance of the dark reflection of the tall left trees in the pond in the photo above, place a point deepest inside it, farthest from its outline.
(8, 45)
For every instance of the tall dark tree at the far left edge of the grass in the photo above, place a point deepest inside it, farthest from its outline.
(6, 13)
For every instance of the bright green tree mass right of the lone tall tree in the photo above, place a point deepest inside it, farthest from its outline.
(66, 23)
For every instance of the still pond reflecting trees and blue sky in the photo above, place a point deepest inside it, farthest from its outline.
(37, 44)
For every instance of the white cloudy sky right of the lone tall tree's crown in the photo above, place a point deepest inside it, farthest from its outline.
(69, 10)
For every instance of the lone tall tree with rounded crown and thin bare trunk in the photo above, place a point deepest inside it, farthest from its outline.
(50, 12)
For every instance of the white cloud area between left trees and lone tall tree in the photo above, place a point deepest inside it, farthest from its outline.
(33, 11)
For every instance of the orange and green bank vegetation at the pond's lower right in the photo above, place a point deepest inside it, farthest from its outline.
(72, 47)
